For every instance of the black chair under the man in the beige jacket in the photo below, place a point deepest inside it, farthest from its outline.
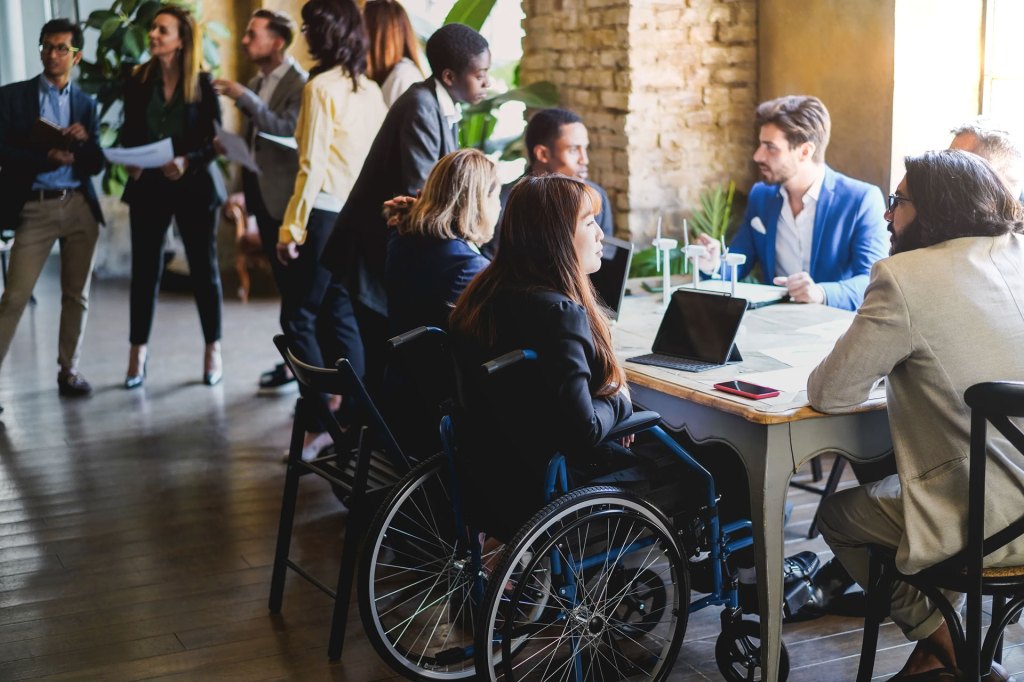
(992, 403)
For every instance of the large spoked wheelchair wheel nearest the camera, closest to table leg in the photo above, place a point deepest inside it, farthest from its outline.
(592, 588)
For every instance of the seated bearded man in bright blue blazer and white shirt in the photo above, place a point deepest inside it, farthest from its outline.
(813, 230)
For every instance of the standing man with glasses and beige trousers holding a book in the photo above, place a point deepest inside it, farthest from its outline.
(48, 194)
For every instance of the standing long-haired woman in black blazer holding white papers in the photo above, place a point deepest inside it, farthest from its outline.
(169, 97)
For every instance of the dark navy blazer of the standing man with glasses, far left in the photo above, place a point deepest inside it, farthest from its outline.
(22, 162)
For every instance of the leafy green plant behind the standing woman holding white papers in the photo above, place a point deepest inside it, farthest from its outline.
(122, 46)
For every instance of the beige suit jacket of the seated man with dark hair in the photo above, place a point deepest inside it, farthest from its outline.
(935, 322)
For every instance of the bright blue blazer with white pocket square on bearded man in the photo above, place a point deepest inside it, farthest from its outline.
(850, 235)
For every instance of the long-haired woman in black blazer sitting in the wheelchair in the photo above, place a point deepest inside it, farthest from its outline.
(536, 294)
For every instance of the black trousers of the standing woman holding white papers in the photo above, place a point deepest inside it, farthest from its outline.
(198, 226)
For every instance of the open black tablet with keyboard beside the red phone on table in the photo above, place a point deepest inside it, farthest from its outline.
(698, 332)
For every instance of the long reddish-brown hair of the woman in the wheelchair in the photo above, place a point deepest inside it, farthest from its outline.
(536, 252)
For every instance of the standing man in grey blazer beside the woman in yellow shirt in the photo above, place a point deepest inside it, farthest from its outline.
(272, 104)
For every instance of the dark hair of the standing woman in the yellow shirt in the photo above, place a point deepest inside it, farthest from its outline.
(336, 37)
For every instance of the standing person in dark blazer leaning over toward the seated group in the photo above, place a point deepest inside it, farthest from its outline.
(420, 129)
